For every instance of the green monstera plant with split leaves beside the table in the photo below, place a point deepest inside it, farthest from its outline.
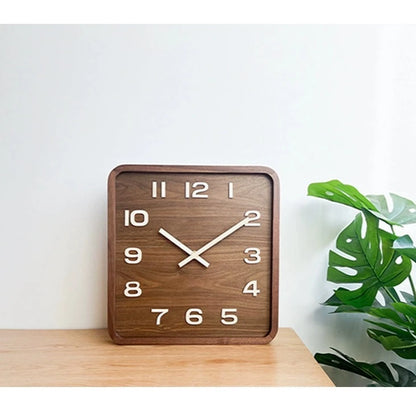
(371, 253)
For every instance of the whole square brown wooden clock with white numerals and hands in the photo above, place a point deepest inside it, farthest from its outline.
(193, 254)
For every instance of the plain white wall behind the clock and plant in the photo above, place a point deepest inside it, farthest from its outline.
(312, 102)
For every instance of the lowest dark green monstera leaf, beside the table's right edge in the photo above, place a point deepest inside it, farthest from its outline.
(379, 372)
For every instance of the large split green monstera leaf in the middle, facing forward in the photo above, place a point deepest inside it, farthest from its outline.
(368, 260)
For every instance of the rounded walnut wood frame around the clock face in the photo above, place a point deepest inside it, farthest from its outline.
(274, 255)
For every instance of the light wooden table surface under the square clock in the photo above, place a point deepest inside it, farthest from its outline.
(89, 358)
